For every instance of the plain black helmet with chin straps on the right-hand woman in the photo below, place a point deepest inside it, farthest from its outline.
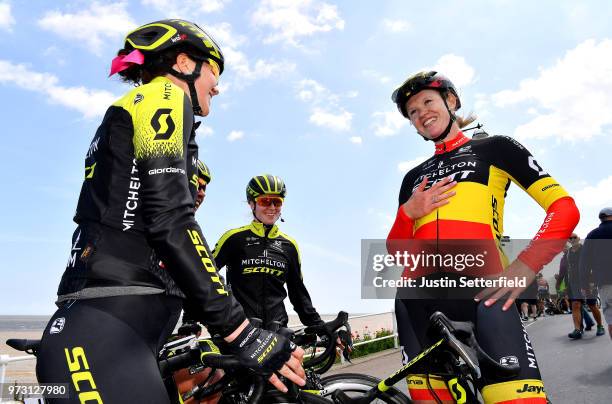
(421, 81)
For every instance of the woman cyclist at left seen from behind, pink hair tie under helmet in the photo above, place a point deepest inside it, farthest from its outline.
(137, 207)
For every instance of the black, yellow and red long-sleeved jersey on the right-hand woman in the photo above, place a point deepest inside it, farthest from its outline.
(484, 169)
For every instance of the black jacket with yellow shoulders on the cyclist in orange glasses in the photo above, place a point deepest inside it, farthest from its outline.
(259, 260)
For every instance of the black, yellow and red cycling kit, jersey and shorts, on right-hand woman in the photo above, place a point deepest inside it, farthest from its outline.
(483, 169)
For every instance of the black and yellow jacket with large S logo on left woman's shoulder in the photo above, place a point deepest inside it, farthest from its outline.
(136, 207)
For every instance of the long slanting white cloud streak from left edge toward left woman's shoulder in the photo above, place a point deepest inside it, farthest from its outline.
(91, 103)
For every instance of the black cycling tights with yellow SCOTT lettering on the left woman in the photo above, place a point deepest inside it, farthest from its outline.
(106, 349)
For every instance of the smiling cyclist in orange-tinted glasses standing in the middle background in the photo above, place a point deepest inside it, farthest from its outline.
(260, 259)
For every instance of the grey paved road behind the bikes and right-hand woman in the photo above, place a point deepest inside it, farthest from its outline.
(575, 372)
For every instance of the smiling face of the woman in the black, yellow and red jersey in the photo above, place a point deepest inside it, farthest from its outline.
(428, 114)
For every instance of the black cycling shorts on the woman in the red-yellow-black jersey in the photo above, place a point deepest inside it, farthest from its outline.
(500, 333)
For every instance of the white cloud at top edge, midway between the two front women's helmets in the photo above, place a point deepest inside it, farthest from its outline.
(290, 20)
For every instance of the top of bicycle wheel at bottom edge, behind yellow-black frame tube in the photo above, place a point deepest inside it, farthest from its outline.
(354, 385)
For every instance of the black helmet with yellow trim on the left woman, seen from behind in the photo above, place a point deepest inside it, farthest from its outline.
(155, 38)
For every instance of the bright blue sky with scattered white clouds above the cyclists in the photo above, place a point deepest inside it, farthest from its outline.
(306, 96)
